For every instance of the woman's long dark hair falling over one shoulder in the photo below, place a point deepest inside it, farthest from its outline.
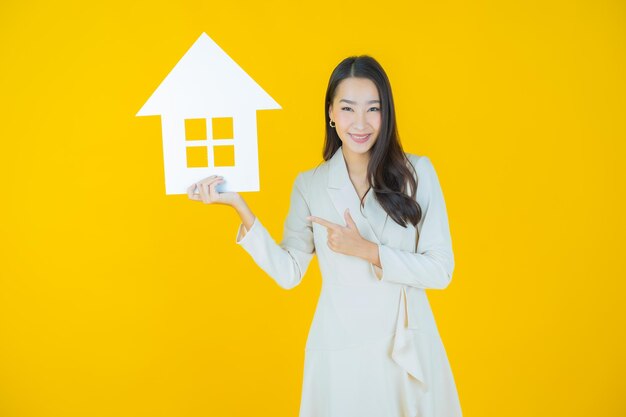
(389, 170)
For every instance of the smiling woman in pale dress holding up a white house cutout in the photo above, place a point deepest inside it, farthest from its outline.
(376, 218)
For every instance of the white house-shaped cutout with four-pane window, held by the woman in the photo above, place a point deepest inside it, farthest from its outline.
(208, 105)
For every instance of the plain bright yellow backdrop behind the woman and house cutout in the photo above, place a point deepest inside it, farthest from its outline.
(117, 300)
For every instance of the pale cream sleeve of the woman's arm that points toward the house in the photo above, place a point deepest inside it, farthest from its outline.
(432, 266)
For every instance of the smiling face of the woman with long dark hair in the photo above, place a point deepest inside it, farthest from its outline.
(356, 113)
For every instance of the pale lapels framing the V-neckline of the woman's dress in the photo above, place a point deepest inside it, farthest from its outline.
(370, 219)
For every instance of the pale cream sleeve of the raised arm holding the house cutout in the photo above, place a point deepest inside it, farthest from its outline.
(287, 262)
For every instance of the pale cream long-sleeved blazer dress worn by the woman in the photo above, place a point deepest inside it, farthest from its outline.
(373, 348)
